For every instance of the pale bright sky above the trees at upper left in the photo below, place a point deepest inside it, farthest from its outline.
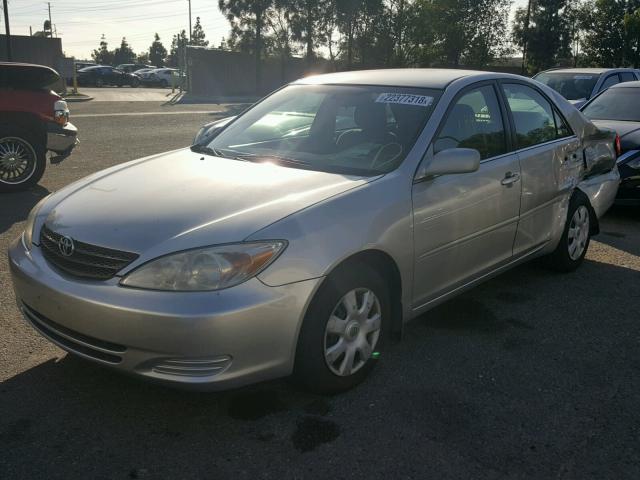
(81, 23)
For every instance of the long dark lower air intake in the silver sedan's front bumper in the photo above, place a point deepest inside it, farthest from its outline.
(74, 341)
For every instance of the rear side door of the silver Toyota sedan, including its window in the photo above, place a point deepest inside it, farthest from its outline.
(549, 159)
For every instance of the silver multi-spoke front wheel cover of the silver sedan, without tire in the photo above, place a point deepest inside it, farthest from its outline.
(352, 332)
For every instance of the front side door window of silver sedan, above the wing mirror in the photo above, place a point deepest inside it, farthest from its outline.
(474, 121)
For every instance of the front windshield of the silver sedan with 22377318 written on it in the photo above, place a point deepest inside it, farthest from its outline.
(350, 129)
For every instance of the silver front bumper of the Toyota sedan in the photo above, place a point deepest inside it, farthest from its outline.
(203, 340)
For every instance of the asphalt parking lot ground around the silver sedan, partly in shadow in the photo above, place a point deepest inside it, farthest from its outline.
(533, 375)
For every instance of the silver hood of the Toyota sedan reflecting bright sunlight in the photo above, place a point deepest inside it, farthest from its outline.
(181, 200)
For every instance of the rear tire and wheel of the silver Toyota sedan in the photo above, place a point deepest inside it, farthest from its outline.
(576, 237)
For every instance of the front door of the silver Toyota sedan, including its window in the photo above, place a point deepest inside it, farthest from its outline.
(465, 224)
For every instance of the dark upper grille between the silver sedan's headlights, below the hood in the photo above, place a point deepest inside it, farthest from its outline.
(87, 261)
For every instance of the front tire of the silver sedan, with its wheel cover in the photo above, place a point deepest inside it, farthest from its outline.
(313, 369)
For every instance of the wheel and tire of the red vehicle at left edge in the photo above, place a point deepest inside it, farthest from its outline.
(22, 159)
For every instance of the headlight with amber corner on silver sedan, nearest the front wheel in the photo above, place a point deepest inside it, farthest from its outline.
(206, 269)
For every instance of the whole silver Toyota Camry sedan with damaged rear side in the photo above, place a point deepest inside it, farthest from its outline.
(298, 237)
